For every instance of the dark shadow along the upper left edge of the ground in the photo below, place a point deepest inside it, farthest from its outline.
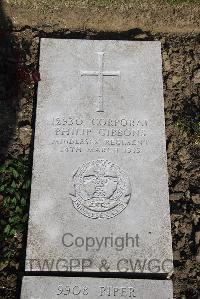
(9, 84)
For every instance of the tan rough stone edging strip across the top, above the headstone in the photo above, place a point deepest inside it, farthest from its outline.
(105, 15)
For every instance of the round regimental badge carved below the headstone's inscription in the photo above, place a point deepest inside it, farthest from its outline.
(100, 189)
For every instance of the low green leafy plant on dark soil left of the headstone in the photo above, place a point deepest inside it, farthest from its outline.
(14, 194)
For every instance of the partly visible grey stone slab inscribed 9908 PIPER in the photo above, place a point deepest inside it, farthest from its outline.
(42, 287)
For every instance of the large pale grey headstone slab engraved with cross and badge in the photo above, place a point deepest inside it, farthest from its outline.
(99, 197)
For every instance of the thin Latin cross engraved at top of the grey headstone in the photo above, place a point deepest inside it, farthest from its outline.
(100, 74)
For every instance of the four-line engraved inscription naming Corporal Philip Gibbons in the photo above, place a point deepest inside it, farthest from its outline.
(103, 135)
